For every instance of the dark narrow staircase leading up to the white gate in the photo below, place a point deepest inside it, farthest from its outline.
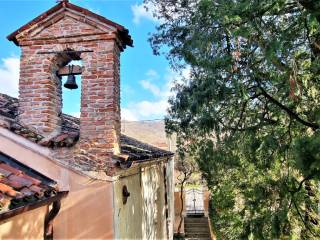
(197, 228)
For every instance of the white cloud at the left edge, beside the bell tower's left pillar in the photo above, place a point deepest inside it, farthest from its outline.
(9, 76)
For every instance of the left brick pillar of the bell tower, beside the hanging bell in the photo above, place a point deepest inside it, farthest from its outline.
(39, 91)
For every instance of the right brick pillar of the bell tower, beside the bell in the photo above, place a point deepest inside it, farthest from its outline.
(100, 104)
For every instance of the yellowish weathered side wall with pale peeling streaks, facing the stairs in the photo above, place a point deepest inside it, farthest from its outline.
(144, 214)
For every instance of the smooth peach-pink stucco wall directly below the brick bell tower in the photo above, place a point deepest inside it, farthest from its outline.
(86, 212)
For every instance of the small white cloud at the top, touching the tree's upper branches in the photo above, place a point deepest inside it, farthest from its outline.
(143, 10)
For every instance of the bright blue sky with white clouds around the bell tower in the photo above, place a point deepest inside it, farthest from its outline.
(145, 79)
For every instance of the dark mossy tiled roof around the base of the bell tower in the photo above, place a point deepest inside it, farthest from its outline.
(131, 149)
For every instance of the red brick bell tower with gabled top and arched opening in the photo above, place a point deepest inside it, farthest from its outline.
(48, 43)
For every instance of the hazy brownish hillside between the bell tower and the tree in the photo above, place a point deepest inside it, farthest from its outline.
(151, 132)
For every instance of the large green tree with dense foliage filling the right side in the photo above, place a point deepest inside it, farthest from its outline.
(250, 112)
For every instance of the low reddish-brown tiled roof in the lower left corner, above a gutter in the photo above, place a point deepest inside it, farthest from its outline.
(21, 186)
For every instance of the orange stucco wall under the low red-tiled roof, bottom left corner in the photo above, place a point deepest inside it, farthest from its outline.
(28, 225)
